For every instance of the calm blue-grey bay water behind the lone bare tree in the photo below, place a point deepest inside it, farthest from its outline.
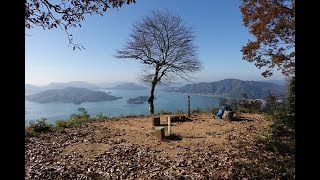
(166, 101)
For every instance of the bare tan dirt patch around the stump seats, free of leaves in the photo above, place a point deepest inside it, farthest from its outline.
(202, 131)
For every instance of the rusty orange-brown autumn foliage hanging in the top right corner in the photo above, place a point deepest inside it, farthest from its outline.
(272, 23)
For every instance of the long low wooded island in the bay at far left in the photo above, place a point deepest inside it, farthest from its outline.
(70, 95)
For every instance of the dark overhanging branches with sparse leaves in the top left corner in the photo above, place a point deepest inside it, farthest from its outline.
(65, 13)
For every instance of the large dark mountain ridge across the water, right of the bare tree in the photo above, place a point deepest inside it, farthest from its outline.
(231, 88)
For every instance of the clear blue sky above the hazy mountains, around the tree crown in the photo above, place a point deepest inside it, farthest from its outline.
(219, 38)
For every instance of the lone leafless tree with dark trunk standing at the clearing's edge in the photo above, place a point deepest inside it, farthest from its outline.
(164, 45)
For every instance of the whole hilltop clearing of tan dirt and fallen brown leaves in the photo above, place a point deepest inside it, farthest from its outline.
(124, 148)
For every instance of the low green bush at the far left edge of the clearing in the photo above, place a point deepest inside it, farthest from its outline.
(38, 127)
